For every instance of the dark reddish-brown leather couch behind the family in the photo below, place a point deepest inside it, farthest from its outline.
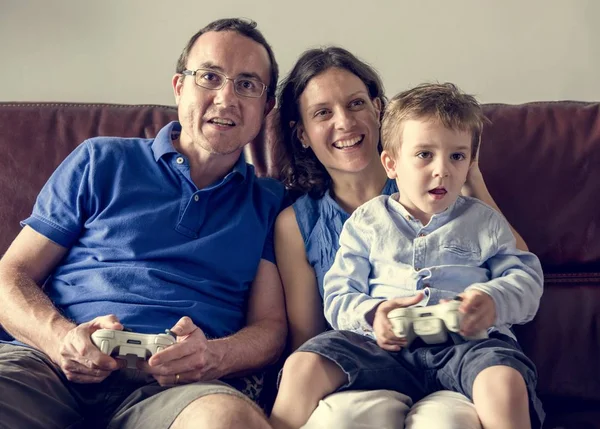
(541, 162)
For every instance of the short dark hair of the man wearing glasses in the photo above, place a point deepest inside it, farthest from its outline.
(245, 27)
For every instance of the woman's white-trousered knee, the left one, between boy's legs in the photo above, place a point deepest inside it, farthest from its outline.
(360, 409)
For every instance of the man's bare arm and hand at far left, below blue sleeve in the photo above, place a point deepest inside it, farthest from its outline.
(29, 316)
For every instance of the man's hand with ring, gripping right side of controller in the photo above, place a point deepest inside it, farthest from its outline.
(188, 360)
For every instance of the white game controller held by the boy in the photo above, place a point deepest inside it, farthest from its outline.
(431, 324)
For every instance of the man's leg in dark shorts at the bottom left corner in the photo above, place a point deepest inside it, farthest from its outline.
(34, 391)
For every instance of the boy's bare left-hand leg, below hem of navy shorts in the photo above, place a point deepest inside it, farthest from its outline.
(306, 379)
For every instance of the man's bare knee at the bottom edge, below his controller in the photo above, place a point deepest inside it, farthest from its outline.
(221, 411)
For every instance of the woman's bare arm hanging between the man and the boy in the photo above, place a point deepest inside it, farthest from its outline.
(302, 298)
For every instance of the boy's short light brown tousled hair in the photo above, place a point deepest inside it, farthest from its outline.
(443, 102)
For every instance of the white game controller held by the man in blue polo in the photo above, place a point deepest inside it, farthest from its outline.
(130, 345)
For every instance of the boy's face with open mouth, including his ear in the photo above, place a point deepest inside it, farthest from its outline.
(430, 167)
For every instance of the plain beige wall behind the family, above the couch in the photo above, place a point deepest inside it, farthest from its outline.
(124, 51)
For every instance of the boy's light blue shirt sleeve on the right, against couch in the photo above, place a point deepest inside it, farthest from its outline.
(517, 279)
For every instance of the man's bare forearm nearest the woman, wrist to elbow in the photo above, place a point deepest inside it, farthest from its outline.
(250, 349)
